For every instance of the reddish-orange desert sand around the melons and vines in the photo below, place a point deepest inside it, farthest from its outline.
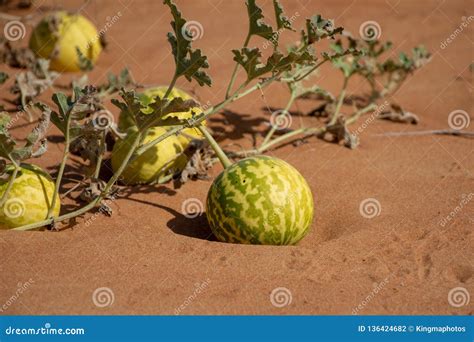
(150, 259)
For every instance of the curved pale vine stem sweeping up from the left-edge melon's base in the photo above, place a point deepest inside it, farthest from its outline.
(95, 201)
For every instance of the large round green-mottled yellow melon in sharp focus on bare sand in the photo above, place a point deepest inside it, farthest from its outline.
(260, 200)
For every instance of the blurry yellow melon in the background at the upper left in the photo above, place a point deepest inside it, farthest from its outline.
(58, 36)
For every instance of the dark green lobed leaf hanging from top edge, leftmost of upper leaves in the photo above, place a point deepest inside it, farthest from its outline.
(189, 62)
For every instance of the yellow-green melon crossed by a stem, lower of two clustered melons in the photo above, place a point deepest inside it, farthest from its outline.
(157, 164)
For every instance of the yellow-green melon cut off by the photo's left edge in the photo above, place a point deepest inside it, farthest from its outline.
(29, 198)
